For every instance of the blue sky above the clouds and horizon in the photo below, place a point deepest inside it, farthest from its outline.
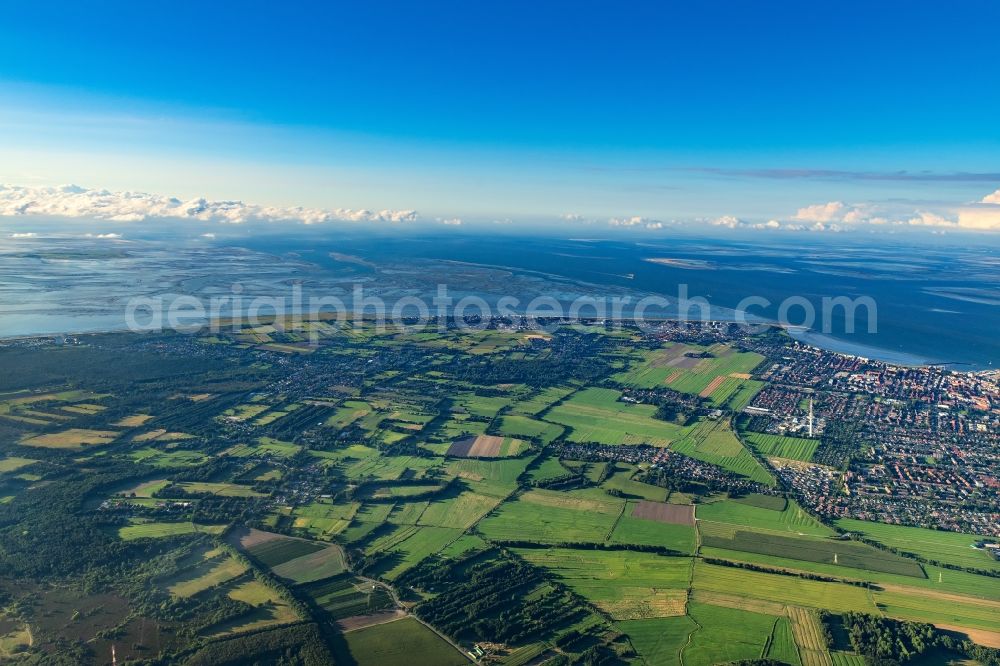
(529, 111)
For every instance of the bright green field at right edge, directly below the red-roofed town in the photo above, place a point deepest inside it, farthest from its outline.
(947, 547)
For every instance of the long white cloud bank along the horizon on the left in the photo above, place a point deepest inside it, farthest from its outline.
(76, 201)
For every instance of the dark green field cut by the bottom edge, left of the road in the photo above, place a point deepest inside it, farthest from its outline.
(403, 642)
